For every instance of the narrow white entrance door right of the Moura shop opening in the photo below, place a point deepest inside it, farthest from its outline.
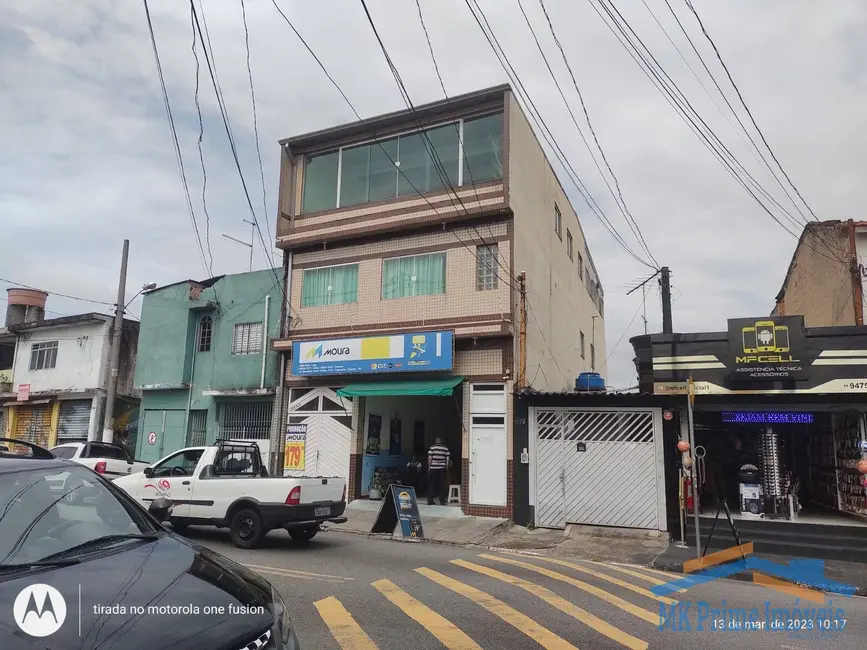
(488, 460)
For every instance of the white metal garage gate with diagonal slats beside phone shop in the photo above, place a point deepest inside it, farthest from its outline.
(600, 467)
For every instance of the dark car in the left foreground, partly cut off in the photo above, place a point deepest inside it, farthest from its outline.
(104, 573)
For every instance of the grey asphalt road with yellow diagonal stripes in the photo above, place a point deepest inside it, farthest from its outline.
(349, 591)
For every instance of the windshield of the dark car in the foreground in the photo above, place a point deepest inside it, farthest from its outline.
(50, 511)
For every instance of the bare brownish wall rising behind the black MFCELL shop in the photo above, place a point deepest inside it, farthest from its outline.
(819, 283)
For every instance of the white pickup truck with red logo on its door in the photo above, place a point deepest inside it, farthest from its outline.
(226, 485)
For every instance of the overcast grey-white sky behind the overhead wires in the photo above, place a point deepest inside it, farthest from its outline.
(87, 159)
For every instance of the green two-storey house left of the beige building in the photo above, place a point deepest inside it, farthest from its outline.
(205, 366)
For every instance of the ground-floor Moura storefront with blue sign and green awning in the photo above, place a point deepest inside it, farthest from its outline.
(369, 408)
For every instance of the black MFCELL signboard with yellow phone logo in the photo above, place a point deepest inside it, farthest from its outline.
(768, 349)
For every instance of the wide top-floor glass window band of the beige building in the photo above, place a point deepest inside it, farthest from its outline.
(405, 165)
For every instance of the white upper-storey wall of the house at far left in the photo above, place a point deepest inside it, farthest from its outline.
(81, 351)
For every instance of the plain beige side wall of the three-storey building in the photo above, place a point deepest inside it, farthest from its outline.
(560, 305)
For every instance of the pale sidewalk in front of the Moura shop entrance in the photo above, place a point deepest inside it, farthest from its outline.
(445, 524)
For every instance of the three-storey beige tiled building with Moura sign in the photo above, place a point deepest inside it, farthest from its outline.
(449, 224)
